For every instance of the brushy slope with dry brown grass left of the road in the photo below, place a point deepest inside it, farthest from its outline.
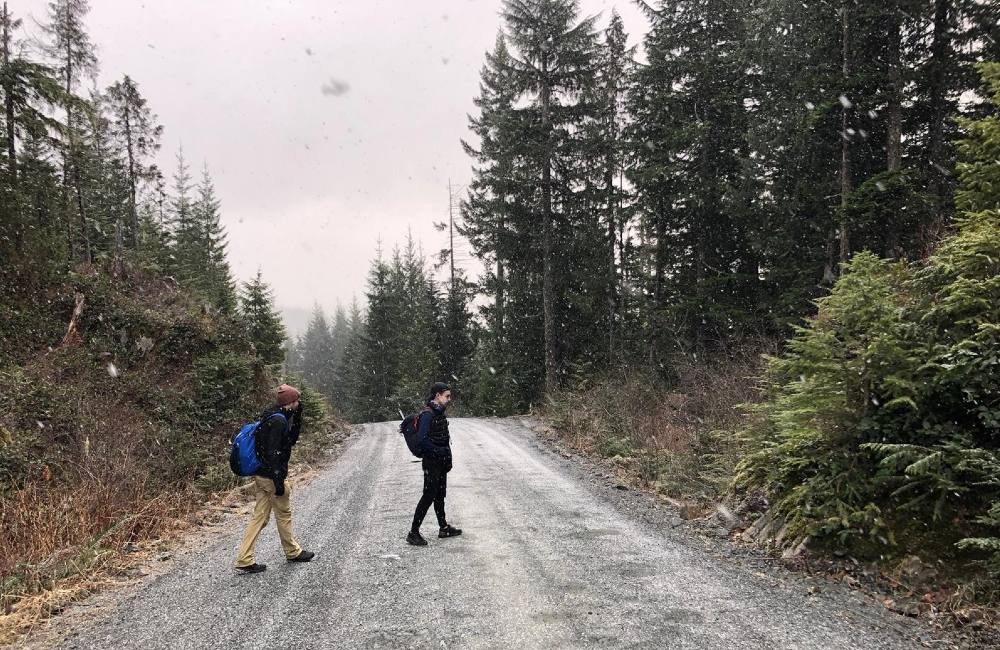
(111, 439)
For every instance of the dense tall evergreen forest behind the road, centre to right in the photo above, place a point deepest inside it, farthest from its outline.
(693, 197)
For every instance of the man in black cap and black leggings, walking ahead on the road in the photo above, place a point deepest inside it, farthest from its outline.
(434, 446)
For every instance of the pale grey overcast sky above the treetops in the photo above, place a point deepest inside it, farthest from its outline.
(326, 125)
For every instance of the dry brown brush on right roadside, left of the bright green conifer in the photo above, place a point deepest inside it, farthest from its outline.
(677, 437)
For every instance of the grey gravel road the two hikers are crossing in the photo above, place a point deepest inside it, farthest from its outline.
(551, 558)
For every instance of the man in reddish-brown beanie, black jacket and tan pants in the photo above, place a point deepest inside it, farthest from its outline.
(277, 434)
